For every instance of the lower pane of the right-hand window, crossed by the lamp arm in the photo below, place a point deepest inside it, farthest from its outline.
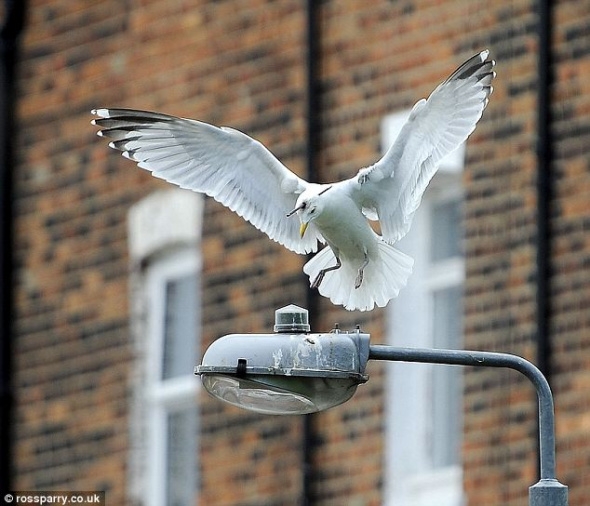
(447, 384)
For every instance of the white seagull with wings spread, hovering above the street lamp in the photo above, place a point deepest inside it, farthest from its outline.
(359, 268)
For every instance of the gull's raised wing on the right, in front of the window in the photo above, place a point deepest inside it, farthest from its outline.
(393, 187)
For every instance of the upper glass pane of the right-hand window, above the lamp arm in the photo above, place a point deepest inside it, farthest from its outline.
(445, 230)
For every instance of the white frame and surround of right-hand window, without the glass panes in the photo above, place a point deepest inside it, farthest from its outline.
(410, 479)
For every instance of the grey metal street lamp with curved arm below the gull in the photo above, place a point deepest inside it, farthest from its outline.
(294, 372)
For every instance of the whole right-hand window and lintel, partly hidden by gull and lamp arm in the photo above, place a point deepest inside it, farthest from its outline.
(424, 402)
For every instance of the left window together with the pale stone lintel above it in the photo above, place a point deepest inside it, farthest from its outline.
(164, 238)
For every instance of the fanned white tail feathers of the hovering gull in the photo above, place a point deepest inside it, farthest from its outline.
(383, 278)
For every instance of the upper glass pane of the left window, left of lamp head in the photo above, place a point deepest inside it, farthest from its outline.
(180, 327)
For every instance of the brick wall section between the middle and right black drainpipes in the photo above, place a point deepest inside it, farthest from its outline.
(383, 57)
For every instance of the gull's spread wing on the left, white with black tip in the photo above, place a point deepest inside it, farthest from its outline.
(223, 163)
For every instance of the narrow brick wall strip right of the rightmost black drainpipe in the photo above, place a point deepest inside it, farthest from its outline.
(571, 249)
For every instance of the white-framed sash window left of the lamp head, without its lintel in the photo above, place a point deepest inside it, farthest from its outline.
(173, 288)
